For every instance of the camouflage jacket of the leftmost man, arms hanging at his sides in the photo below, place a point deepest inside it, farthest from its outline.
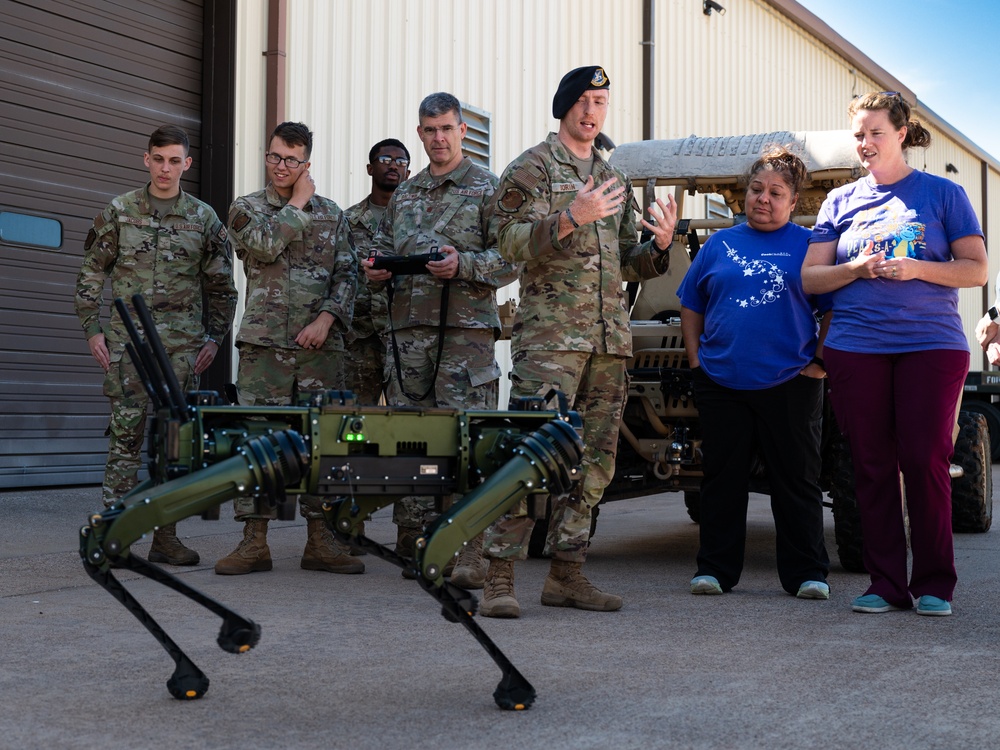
(176, 262)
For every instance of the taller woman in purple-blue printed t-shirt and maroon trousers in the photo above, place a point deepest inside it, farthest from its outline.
(893, 249)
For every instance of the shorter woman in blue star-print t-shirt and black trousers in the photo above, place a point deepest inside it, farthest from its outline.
(751, 337)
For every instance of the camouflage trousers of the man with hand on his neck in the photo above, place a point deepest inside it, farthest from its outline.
(267, 377)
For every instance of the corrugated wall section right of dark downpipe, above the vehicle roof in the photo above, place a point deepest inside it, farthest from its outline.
(749, 71)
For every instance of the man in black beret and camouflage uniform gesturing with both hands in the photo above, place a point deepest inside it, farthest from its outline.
(569, 218)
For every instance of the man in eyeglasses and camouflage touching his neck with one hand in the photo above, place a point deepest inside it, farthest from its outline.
(301, 273)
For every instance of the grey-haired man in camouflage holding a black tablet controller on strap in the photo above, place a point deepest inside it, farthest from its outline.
(444, 323)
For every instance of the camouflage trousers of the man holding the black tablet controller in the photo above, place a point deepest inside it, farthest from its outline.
(468, 378)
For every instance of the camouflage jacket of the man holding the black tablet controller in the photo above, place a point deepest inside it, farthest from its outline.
(428, 211)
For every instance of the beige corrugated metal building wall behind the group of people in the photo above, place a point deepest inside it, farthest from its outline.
(357, 70)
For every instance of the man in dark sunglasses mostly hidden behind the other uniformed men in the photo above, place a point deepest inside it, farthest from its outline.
(388, 165)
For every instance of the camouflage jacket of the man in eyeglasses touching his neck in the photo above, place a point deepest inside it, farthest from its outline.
(298, 264)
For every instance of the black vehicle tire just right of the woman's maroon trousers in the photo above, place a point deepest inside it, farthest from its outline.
(972, 494)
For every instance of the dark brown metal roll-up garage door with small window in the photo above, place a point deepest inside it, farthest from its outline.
(82, 85)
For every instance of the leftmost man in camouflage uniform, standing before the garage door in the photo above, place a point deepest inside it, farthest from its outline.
(172, 249)
